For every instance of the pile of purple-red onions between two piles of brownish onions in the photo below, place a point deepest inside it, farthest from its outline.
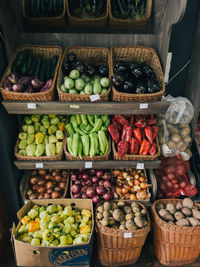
(95, 184)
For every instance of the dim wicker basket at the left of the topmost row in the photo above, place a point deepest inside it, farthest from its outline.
(50, 23)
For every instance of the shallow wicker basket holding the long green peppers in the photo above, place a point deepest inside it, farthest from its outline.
(68, 156)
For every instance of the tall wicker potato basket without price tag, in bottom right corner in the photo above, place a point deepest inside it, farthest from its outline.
(174, 245)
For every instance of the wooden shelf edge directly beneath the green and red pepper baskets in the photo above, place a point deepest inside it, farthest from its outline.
(109, 164)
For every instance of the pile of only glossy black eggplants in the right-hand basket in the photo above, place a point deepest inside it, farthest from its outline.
(135, 78)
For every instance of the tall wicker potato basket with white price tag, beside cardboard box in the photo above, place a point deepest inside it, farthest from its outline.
(114, 249)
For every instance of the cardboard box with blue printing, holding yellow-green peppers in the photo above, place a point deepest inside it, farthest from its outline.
(73, 255)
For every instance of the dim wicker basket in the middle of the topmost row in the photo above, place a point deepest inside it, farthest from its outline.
(99, 23)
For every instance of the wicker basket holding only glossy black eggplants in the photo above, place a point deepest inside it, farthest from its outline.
(137, 53)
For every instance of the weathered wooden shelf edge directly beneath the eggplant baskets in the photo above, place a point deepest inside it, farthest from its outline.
(57, 107)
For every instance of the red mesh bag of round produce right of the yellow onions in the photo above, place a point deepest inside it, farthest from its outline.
(172, 178)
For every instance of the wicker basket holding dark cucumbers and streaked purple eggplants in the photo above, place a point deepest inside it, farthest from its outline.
(46, 52)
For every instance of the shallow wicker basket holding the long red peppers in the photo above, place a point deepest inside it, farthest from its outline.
(136, 157)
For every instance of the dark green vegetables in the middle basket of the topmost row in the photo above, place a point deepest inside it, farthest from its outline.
(87, 8)
